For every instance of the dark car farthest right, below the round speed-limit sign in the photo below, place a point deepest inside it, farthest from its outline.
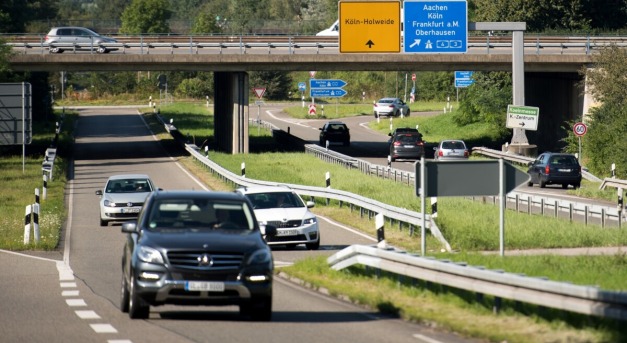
(555, 168)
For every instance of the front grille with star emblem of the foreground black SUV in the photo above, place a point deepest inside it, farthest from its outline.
(192, 260)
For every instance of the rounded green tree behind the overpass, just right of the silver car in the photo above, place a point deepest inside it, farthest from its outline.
(146, 16)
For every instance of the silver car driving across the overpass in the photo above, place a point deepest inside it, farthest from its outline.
(77, 38)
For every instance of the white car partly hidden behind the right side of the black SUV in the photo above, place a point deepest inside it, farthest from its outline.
(281, 207)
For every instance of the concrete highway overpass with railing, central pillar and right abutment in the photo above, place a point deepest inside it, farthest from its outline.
(552, 67)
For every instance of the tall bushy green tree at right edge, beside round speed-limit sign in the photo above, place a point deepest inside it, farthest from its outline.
(606, 140)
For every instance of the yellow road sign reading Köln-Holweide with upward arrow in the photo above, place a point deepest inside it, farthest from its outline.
(370, 26)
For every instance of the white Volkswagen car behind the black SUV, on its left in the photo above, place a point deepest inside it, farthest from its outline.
(123, 197)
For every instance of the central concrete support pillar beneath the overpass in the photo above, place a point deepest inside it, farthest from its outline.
(231, 112)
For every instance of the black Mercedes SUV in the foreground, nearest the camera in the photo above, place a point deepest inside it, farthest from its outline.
(197, 248)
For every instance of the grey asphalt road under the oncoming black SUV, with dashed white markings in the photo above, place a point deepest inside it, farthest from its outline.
(72, 295)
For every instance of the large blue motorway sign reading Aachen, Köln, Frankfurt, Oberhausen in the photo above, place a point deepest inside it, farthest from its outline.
(435, 26)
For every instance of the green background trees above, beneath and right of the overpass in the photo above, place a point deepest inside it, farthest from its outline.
(484, 101)
